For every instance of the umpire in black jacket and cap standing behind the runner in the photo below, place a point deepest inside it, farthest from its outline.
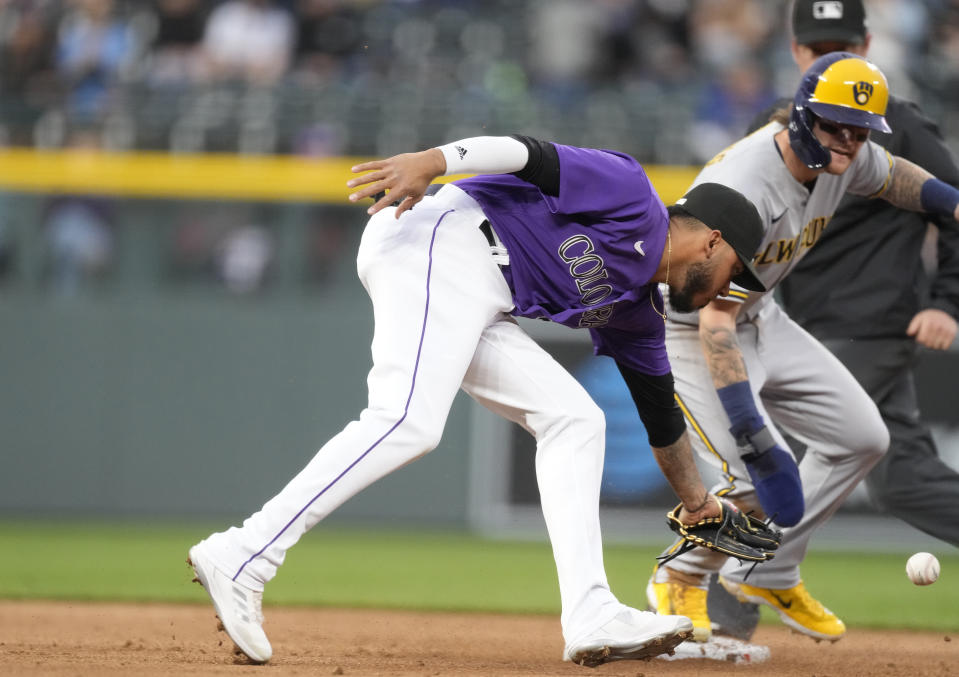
(863, 291)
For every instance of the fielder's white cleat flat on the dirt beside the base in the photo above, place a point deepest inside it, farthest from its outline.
(630, 635)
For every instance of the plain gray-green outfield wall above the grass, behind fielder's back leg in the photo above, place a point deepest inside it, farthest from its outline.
(169, 406)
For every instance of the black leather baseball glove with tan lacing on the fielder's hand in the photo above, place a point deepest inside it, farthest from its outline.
(731, 533)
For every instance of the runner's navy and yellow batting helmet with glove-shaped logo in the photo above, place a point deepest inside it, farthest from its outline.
(842, 88)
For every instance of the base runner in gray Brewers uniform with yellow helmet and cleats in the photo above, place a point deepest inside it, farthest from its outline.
(745, 373)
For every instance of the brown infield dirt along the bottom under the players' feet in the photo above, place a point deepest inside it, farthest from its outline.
(58, 638)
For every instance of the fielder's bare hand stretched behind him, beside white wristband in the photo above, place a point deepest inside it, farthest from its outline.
(404, 177)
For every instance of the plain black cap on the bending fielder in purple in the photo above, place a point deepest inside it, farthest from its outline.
(727, 210)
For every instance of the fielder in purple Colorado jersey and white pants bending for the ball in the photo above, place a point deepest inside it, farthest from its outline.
(572, 235)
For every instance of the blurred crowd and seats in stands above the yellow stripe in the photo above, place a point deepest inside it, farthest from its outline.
(671, 81)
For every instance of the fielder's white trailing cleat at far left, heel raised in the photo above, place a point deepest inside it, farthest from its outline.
(239, 608)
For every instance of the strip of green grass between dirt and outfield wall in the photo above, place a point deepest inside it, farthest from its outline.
(335, 566)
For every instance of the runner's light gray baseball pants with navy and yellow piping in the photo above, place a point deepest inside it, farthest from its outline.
(800, 388)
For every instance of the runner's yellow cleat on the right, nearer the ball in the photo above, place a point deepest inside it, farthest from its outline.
(795, 606)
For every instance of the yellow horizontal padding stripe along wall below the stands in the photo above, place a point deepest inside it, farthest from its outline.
(214, 176)
